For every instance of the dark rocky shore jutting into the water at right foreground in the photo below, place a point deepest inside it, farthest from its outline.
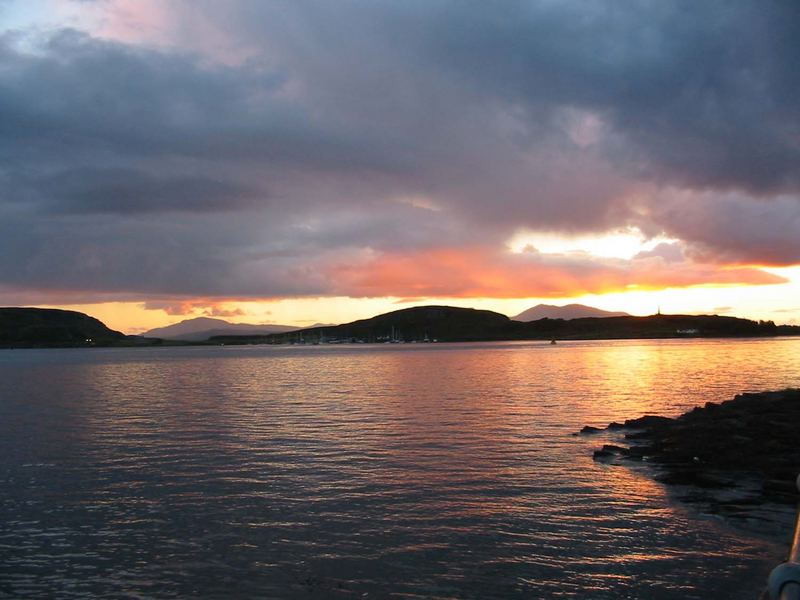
(739, 455)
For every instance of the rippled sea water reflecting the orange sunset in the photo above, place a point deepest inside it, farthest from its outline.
(414, 471)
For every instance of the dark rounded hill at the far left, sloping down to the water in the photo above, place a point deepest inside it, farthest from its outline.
(45, 327)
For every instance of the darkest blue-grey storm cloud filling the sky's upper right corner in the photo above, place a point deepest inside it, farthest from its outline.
(704, 92)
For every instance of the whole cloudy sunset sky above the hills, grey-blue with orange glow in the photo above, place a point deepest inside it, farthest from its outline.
(303, 161)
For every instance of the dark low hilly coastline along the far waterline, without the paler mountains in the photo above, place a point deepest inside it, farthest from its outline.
(48, 328)
